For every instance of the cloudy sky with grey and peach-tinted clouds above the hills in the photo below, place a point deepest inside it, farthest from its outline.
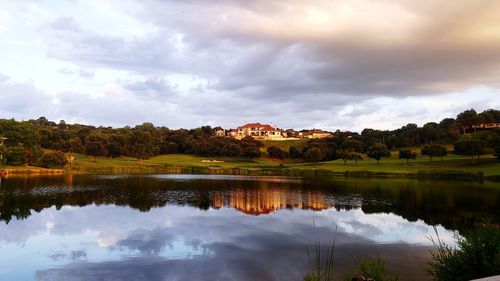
(325, 64)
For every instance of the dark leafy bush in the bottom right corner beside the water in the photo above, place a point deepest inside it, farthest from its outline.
(477, 255)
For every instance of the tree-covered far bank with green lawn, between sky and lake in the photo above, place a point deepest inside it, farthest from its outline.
(146, 148)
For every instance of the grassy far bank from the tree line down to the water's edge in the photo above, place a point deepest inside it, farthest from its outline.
(453, 167)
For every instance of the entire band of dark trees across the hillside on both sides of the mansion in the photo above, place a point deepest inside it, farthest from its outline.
(26, 141)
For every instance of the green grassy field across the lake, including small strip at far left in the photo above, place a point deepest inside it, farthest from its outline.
(488, 164)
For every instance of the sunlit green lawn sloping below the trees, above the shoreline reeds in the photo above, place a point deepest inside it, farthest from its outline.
(488, 164)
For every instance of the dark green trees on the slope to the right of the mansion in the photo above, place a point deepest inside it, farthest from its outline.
(431, 138)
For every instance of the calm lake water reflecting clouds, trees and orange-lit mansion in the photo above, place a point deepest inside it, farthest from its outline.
(189, 227)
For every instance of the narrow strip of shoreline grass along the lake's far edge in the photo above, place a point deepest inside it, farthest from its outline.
(255, 171)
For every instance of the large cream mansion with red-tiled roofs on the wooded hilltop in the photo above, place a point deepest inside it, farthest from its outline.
(269, 132)
